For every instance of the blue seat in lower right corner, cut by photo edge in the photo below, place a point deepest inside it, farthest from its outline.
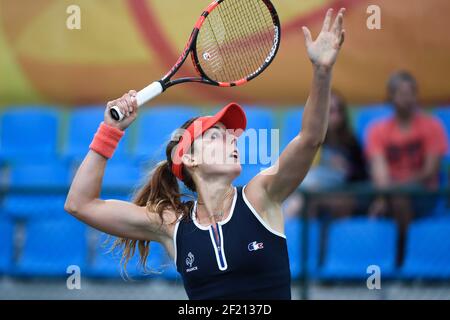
(427, 250)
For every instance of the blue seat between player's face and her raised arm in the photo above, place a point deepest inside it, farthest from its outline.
(258, 118)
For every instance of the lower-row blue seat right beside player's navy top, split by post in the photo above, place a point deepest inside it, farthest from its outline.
(294, 231)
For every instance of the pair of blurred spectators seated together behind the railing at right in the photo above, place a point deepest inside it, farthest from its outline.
(401, 151)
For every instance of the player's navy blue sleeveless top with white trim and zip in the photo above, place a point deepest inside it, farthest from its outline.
(249, 260)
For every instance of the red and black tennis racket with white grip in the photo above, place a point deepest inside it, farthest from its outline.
(232, 42)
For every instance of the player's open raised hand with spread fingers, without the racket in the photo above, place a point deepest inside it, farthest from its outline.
(324, 50)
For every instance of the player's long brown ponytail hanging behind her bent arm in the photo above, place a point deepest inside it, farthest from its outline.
(160, 192)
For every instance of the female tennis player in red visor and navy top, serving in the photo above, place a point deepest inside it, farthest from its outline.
(229, 243)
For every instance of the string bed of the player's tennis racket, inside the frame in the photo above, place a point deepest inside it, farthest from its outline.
(235, 40)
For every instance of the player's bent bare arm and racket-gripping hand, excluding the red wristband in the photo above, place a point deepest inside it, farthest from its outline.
(118, 218)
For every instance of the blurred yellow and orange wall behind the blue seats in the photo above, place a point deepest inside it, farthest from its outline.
(125, 44)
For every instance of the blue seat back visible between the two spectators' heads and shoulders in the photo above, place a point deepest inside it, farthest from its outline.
(366, 116)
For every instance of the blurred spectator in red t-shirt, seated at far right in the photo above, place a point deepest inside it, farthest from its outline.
(405, 150)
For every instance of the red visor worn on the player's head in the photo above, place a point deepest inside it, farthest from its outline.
(232, 116)
